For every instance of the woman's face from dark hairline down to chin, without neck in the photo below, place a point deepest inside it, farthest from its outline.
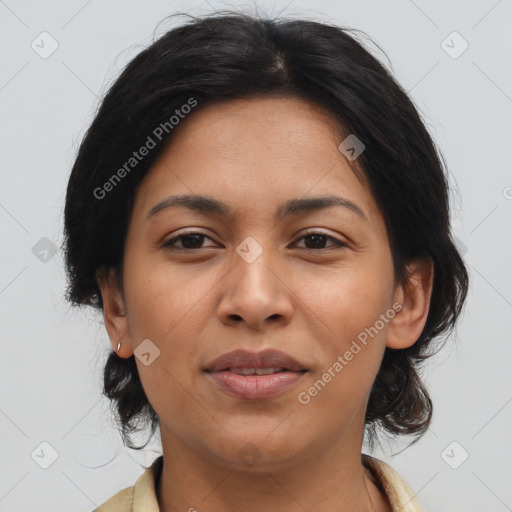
(252, 278)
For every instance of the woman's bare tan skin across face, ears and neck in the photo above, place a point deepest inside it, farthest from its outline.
(310, 301)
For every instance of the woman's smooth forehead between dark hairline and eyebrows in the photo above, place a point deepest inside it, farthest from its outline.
(254, 154)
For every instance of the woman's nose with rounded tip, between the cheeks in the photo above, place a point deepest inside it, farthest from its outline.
(256, 293)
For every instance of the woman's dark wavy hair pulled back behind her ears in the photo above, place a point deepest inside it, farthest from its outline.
(231, 56)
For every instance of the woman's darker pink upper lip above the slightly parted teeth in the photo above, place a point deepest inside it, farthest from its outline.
(245, 359)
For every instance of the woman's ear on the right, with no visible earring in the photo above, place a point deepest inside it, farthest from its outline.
(414, 296)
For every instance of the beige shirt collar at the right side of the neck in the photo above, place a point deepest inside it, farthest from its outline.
(398, 491)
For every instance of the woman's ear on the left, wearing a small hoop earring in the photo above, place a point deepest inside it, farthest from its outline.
(114, 311)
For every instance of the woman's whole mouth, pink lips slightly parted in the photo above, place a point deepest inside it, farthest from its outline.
(252, 376)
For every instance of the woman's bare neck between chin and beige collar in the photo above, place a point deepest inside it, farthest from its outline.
(331, 480)
